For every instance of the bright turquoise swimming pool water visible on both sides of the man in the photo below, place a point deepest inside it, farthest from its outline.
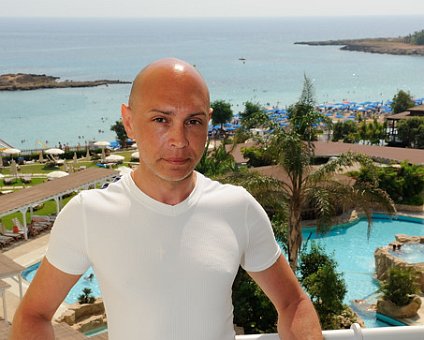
(352, 250)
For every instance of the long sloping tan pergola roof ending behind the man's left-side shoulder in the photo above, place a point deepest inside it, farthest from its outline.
(25, 198)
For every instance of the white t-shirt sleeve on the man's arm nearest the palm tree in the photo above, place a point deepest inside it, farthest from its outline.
(262, 249)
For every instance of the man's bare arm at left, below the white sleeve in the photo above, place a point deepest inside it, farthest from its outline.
(46, 292)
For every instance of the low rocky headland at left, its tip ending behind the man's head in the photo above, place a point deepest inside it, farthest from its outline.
(22, 81)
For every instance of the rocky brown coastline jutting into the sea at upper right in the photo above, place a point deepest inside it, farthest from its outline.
(395, 46)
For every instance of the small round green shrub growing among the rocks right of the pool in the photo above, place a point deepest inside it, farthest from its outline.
(399, 286)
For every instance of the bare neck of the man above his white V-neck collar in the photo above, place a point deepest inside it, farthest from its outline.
(164, 191)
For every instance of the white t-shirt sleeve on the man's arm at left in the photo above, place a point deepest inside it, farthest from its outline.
(67, 249)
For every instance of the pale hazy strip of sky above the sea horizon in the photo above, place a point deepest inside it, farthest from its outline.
(211, 8)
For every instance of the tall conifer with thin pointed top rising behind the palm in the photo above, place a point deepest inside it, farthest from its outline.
(303, 116)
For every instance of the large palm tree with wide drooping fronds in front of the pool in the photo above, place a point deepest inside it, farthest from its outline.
(308, 188)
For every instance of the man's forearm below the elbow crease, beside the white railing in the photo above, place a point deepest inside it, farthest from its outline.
(300, 322)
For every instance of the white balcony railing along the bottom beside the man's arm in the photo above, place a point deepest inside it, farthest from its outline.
(357, 333)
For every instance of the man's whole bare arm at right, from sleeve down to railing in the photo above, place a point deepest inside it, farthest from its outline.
(297, 318)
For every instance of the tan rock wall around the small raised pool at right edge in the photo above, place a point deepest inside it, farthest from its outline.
(384, 260)
